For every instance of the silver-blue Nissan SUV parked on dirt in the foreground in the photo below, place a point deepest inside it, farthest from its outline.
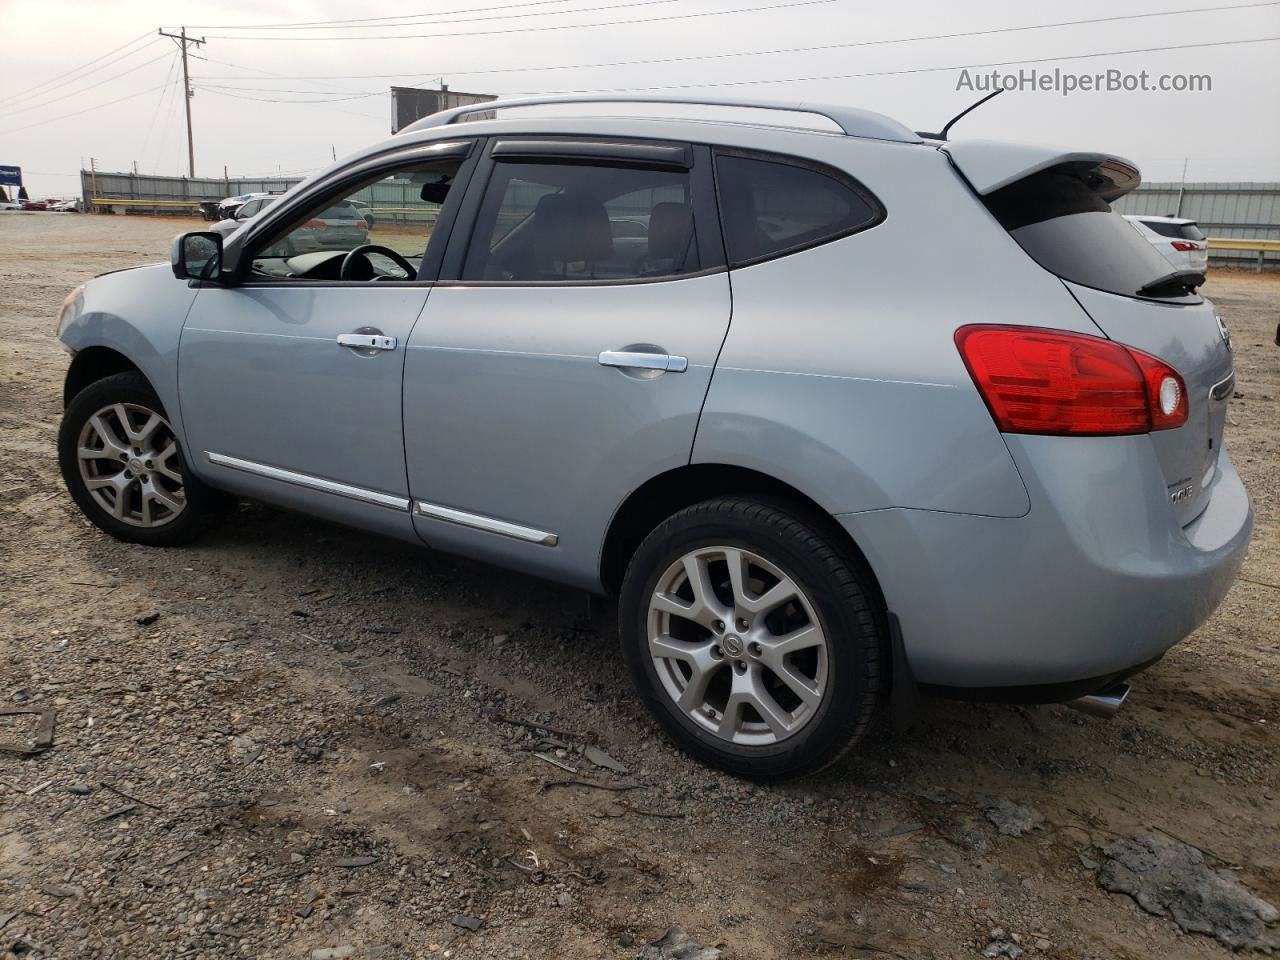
(822, 463)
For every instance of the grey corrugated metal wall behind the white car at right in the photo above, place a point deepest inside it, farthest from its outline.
(1240, 211)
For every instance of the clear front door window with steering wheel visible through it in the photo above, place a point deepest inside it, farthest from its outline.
(394, 213)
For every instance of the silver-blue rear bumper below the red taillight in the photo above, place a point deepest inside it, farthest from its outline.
(1096, 582)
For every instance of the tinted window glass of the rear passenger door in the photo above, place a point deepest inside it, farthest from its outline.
(565, 222)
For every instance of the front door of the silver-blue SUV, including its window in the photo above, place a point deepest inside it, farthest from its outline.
(290, 383)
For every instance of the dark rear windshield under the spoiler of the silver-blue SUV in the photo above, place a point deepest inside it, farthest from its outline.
(1071, 231)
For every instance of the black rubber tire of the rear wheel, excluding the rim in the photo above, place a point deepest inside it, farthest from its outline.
(840, 589)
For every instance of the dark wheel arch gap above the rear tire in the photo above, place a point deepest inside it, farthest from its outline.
(668, 493)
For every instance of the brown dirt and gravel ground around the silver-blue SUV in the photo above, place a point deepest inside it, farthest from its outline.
(294, 738)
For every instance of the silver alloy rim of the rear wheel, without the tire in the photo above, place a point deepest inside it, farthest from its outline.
(738, 646)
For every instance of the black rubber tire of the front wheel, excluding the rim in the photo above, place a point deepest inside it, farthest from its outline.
(203, 504)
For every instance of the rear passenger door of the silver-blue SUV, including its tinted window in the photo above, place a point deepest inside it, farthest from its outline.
(554, 372)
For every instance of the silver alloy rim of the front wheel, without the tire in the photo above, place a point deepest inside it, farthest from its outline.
(129, 460)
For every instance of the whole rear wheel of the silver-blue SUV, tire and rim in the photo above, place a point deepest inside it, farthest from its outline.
(753, 638)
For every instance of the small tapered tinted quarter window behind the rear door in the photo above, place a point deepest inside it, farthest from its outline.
(775, 207)
